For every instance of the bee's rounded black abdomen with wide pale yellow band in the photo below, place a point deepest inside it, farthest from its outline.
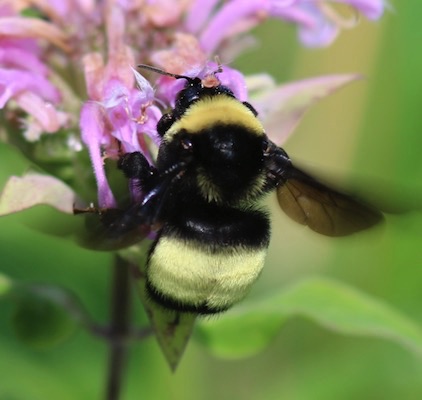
(202, 274)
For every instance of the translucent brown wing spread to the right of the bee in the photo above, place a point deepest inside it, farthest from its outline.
(323, 209)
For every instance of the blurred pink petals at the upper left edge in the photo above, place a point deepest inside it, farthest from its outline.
(24, 76)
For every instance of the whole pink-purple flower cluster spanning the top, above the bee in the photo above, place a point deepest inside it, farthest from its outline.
(68, 64)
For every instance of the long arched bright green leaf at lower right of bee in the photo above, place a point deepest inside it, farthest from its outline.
(249, 328)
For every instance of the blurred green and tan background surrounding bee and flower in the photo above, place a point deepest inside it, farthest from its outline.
(372, 129)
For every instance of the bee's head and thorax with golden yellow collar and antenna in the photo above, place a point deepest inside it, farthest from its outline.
(220, 136)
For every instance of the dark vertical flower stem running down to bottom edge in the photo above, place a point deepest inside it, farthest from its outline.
(120, 321)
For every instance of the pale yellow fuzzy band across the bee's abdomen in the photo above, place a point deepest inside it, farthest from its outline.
(194, 276)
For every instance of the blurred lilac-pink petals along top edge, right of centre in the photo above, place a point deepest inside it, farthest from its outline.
(319, 22)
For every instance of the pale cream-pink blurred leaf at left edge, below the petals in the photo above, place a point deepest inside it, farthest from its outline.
(33, 189)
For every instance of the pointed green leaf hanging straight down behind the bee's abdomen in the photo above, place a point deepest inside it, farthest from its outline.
(172, 329)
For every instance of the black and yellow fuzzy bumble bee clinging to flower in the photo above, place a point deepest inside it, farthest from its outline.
(214, 164)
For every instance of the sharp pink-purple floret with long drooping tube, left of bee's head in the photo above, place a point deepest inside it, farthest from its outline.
(121, 113)
